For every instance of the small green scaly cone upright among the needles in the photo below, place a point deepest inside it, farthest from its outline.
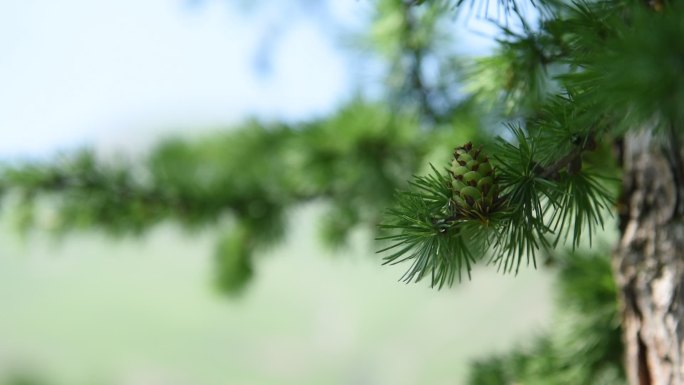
(474, 182)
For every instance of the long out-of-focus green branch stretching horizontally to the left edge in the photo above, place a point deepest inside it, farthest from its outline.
(244, 180)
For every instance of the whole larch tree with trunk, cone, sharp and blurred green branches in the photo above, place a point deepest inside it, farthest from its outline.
(585, 99)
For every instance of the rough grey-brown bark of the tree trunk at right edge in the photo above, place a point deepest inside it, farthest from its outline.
(649, 261)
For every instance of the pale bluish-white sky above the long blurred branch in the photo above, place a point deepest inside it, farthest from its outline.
(118, 73)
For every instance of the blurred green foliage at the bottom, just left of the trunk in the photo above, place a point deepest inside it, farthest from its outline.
(583, 346)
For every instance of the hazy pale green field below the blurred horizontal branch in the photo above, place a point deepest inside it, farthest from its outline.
(92, 310)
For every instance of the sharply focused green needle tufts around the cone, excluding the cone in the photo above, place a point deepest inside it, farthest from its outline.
(539, 204)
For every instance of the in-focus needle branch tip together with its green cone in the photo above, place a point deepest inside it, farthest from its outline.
(531, 205)
